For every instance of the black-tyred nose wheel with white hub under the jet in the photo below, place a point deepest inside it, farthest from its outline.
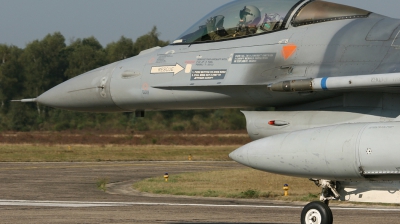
(316, 213)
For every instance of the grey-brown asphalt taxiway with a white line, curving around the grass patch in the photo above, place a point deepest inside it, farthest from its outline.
(67, 193)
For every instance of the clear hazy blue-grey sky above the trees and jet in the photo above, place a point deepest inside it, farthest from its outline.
(23, 21)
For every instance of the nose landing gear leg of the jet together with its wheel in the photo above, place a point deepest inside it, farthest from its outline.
(318, 212)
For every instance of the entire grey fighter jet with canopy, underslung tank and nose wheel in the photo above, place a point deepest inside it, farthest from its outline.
(331, 71)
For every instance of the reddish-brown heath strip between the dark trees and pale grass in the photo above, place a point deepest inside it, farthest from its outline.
(126, 138)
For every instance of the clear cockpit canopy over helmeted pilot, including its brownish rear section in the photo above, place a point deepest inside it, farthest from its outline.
(246, 18)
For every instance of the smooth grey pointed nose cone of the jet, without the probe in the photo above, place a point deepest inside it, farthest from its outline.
(87, 92)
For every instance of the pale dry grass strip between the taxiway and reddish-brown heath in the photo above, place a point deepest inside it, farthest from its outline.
(85, 153)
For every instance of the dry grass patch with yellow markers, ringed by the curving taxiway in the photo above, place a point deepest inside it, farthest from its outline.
(237, 183)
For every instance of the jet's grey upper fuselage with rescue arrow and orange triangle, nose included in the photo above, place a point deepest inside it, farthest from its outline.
(235, 73)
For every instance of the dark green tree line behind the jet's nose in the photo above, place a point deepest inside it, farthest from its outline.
(43, 64)
